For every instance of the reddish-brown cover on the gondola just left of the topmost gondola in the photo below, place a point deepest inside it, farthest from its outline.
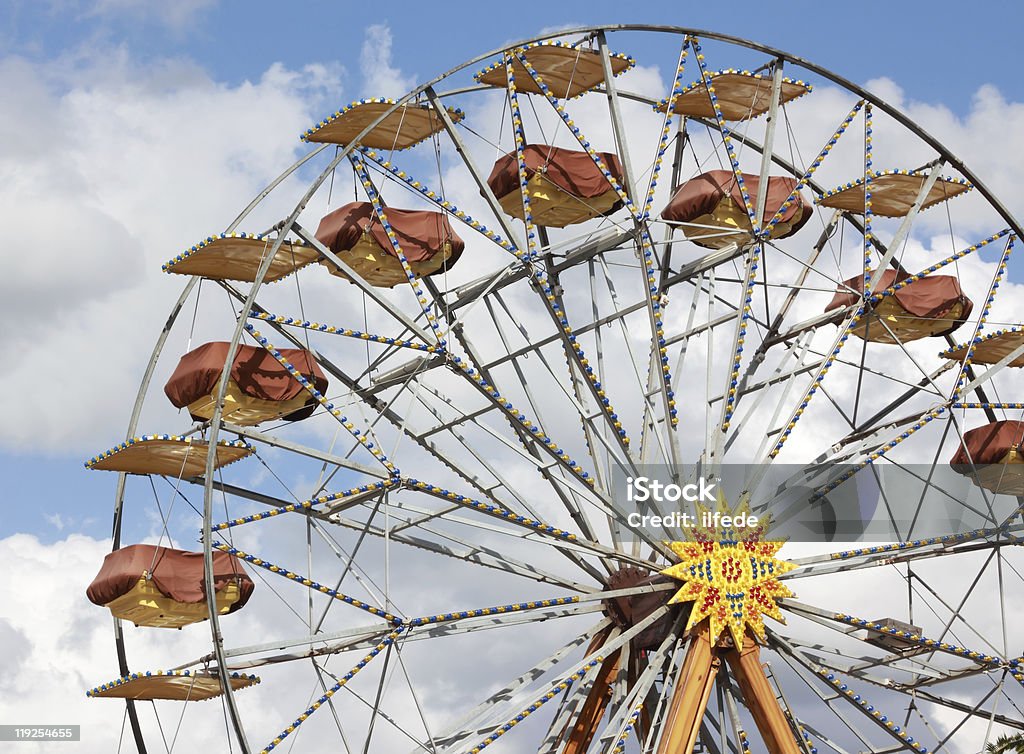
(421, 233)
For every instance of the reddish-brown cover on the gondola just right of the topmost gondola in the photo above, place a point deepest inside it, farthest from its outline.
(701, 196)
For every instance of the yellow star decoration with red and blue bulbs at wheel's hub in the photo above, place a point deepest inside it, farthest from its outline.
(732, 575)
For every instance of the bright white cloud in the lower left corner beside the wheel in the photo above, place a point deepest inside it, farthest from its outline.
(59, 646)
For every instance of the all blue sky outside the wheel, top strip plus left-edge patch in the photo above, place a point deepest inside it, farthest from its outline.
(936, 53)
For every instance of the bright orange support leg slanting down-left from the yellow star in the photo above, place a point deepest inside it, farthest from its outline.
(690, 699)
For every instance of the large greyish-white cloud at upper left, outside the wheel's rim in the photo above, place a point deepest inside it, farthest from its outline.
(113, 169)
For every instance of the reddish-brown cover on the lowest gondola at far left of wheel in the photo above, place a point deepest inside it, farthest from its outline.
(177, 574)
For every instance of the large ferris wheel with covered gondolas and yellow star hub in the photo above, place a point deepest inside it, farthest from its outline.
(499, 301)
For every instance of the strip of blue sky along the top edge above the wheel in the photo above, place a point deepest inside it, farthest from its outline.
(940, 52)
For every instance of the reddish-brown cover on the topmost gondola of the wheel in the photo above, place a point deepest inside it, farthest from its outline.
(574, 173)
